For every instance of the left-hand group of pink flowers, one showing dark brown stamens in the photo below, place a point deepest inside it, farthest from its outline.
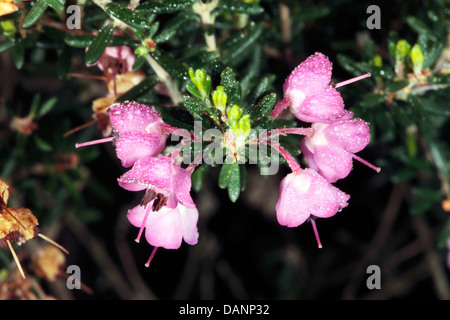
(167, 211)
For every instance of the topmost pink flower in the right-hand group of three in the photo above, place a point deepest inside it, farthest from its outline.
(308, 94)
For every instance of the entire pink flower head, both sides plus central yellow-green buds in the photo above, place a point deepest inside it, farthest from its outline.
(167, 212)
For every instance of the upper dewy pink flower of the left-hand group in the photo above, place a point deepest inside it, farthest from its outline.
(140, 131)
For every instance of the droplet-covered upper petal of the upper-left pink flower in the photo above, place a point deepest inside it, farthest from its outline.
(133, 116)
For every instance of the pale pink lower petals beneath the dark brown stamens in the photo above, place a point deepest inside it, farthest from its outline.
(166, 227)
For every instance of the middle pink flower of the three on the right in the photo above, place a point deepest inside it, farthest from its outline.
(330, 149)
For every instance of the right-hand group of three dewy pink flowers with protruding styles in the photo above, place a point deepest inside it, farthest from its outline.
(329, 148)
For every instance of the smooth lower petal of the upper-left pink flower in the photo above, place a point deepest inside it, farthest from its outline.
(132, 146)
